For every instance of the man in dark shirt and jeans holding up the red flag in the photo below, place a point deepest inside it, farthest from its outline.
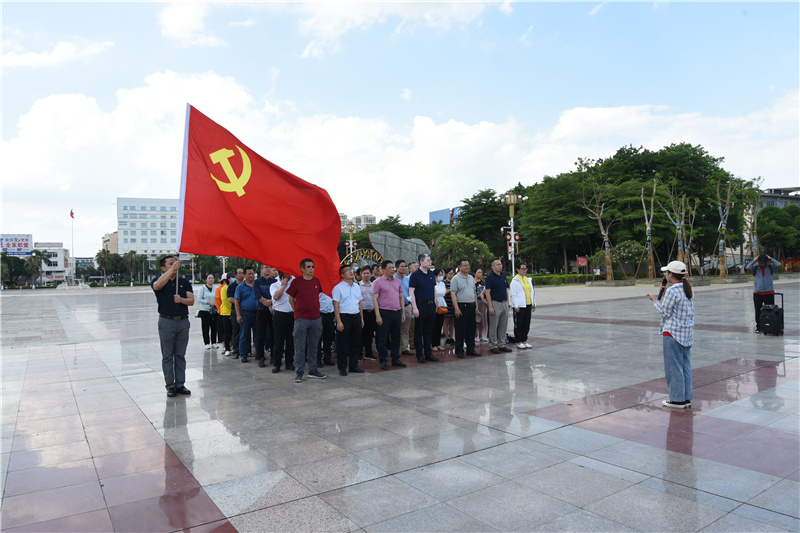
(173, 323)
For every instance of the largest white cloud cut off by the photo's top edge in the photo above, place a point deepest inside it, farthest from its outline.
(328, 22)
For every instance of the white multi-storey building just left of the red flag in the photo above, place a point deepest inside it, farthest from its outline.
(148, 226)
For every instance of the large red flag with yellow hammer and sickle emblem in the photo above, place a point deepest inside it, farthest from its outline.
(235, 203)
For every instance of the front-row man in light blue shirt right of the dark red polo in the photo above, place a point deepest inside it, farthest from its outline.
(349, 321)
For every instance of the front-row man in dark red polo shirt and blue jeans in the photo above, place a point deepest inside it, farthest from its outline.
(304, 299)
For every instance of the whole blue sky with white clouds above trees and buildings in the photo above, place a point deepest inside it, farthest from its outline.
(394, 108)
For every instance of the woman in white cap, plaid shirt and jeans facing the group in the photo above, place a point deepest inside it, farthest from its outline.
(677, 330)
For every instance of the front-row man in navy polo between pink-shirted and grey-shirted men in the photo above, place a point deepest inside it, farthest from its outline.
(422, 290)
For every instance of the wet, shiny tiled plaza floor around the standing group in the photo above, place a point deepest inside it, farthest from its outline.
(567, 436)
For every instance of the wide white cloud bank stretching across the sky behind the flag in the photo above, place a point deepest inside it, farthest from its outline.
(69, 153)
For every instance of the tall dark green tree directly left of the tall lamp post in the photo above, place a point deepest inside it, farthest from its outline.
(482, 215)
